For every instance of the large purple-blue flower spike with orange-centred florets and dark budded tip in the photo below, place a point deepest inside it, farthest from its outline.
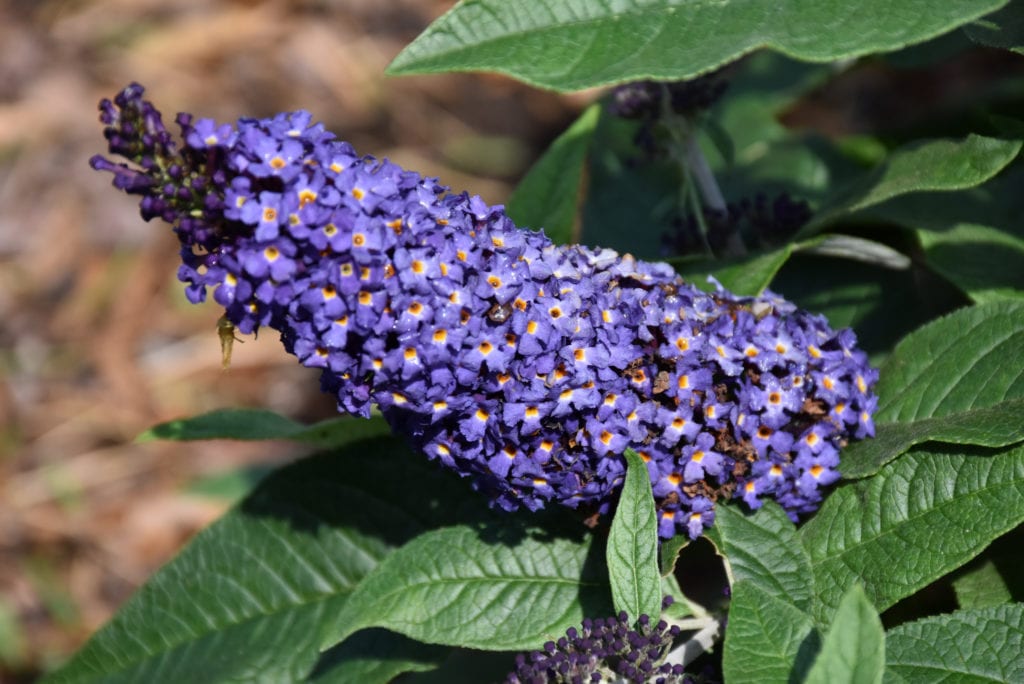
(526, 366)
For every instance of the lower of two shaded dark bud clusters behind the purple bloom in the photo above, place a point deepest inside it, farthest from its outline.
(761, 222)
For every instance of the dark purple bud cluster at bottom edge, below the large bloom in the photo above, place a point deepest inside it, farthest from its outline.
(605, 651)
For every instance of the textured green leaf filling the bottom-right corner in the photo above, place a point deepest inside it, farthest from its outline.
(968, 647)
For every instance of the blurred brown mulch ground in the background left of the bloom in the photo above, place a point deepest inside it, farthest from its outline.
(97, 340)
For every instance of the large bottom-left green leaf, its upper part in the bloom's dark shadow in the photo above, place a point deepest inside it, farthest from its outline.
(249, 596)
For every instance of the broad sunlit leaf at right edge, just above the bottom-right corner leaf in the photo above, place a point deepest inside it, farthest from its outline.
(921, 518)
